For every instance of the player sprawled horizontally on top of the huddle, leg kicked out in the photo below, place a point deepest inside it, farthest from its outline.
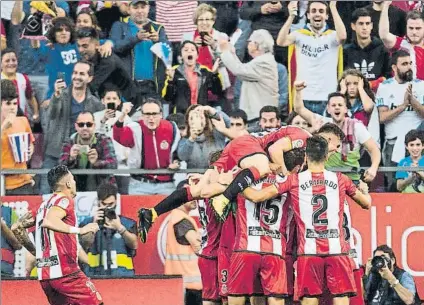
(290, 136)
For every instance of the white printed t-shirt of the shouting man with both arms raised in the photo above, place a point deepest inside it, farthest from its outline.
(316, 64)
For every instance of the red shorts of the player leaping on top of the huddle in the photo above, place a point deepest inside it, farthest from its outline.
(236, 151)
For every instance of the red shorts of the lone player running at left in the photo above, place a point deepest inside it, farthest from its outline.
(75, 289)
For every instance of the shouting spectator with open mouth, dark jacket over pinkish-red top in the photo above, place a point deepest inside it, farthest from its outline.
(189, 83)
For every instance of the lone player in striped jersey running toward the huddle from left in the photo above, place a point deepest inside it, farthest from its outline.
(56, 242)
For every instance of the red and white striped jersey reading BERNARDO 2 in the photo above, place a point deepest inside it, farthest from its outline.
(318, 205)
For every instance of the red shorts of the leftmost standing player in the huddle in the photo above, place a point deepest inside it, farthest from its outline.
(209, 272)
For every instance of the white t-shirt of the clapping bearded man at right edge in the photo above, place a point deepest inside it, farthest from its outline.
(391, 94)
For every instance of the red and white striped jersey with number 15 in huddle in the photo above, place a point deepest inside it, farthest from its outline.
(260, 227)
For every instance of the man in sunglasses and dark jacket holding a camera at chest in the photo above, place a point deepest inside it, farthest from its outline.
(87, 149)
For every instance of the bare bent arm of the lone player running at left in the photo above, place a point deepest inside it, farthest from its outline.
(53, 221)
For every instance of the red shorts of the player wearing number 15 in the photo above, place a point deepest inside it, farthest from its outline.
(256, 274)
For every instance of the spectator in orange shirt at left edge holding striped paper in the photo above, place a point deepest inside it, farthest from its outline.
(11, 125)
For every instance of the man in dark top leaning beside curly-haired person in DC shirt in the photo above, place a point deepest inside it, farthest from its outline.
(108, 71)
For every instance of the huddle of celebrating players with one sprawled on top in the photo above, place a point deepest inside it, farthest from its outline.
(276, 224)
